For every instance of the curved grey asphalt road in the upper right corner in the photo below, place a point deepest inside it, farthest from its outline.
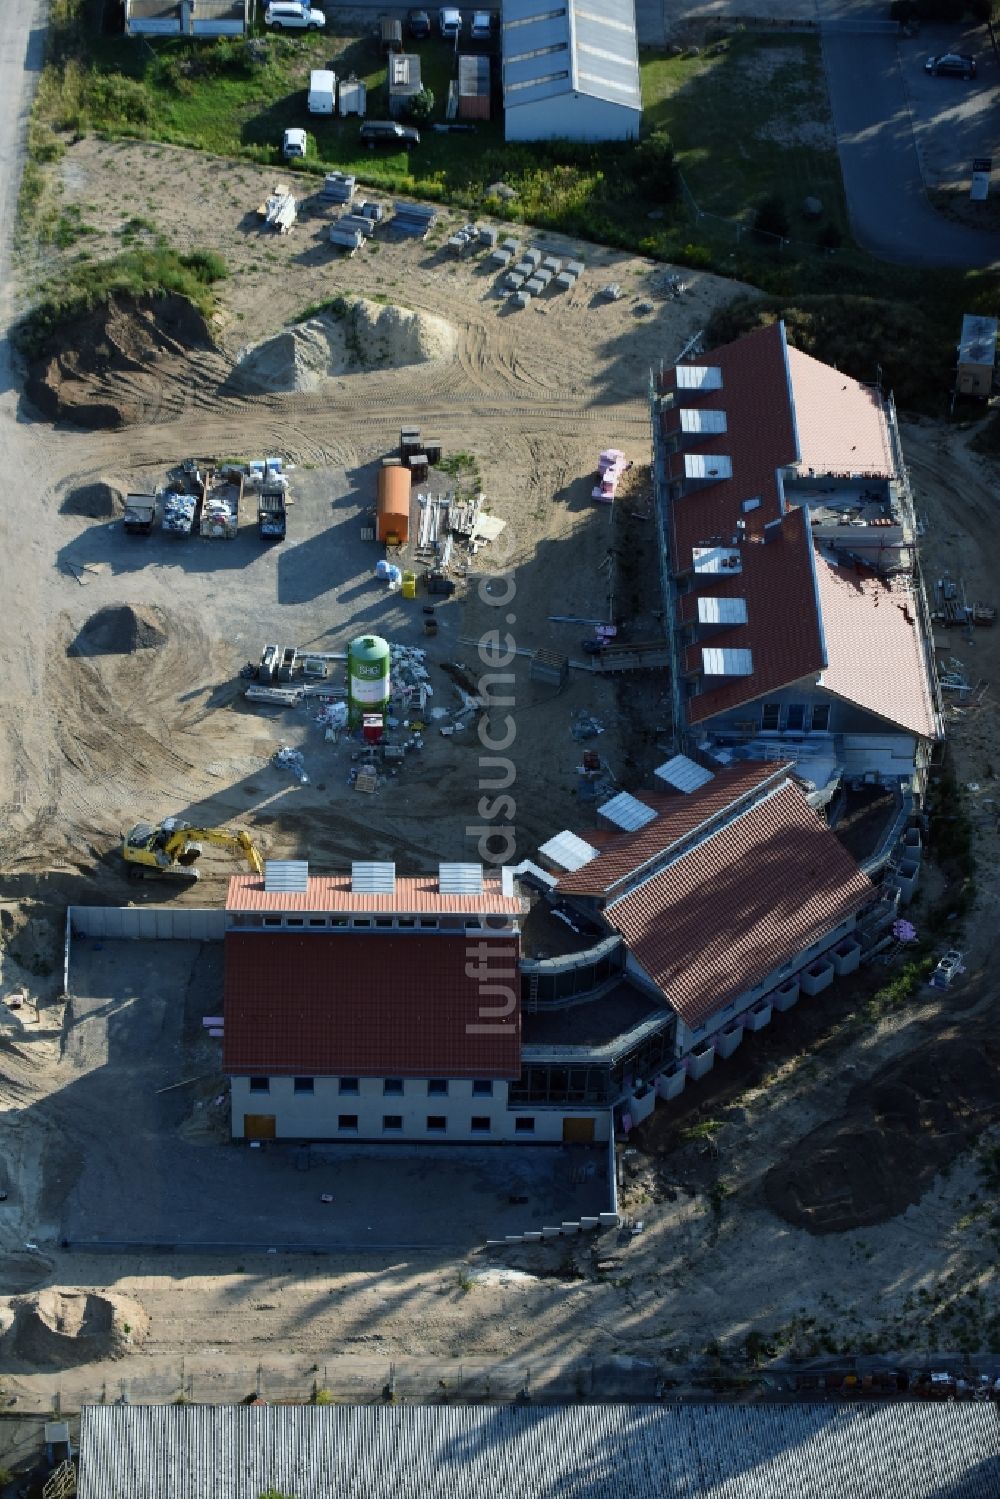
(876, 140)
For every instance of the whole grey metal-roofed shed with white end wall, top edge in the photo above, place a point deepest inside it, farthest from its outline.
(570, 71)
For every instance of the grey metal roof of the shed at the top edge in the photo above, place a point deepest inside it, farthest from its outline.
(576, 47)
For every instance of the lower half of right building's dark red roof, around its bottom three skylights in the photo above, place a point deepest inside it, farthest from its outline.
(783, 629)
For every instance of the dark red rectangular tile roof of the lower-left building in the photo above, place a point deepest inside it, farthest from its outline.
(367, 1005)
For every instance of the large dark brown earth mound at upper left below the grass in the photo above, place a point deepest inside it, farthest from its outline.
(116, 364)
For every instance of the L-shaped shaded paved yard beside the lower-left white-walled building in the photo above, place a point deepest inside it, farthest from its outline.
(137, 1165)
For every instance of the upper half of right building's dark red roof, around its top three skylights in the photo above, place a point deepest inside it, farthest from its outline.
(759, 440)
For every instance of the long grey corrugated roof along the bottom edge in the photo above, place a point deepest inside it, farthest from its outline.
(900, 1450)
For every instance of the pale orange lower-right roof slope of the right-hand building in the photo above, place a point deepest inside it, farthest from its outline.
(875, 648)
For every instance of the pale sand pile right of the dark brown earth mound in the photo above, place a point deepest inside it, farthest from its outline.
(358, 337)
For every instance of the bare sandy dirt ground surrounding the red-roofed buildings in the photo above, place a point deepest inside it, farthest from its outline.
(95, 740)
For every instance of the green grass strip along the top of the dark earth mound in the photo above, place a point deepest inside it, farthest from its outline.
(134, 274)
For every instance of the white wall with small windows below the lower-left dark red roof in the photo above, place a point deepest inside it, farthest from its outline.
(319, 1115)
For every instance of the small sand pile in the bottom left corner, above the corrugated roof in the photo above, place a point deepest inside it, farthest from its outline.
(74, 1327)
